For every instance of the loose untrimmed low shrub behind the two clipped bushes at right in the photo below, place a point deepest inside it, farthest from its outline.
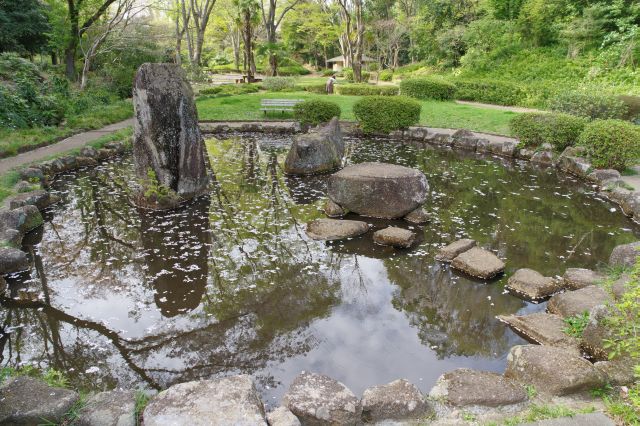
(589, 105)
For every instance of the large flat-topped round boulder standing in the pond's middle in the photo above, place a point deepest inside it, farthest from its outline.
(378, 189)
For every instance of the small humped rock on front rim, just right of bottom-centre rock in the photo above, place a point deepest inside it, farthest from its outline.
(398, 400)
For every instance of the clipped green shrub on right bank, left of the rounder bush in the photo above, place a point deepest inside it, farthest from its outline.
(560, 130)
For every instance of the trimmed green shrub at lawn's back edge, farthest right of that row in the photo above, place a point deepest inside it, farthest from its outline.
(489, 91)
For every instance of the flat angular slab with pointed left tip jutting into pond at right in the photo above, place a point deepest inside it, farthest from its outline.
(543, 329)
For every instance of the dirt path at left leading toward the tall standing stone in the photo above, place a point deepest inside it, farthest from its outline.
(76, 141)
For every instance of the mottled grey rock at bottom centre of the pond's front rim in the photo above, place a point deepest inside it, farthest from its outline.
(320, 400)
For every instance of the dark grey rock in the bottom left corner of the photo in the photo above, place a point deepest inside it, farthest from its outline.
(25, 400)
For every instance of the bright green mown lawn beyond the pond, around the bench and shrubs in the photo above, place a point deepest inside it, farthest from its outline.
(434, 113)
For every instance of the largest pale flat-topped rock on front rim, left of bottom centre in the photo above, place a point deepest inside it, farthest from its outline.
(231, 400)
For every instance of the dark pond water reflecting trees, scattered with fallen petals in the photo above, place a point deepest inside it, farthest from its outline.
(231, 284)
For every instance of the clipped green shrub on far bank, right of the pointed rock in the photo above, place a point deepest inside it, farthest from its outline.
(383, 114)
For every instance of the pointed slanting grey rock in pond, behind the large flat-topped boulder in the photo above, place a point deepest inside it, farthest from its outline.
(319, 151)
